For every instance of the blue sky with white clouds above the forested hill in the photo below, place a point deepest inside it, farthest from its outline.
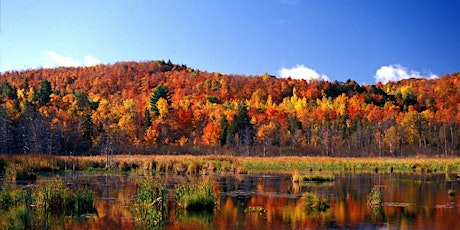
(363, 40)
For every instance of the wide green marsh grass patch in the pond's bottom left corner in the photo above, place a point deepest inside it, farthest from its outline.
(42, 205)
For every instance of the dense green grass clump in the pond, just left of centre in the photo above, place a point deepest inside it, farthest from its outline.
(195, 197)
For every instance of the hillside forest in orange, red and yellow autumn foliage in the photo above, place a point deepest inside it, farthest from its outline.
(157, 107)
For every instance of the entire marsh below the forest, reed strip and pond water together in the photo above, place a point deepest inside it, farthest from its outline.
(223, 192)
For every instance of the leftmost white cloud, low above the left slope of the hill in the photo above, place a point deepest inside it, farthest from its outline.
(52, 59)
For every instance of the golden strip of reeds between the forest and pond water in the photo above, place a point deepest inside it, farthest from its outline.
(16, 166)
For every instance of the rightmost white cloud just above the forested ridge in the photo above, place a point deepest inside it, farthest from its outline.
(398, 72)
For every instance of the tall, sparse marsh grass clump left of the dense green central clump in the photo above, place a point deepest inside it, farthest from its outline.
(150, 207)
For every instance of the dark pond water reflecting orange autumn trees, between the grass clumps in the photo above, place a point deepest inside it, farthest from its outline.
(273, 201)
